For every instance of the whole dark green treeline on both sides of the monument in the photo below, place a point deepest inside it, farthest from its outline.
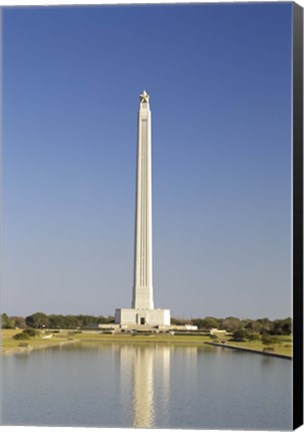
(260, 326)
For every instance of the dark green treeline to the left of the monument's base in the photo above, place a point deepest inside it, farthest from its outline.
(41, 320)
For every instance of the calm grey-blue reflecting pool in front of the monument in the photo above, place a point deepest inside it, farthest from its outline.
(146, 386)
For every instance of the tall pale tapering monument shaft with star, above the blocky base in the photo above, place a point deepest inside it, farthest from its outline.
(142, 288)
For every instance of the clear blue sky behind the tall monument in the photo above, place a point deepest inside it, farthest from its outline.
(219, 76)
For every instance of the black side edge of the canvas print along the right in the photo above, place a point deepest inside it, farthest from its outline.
(297, 233)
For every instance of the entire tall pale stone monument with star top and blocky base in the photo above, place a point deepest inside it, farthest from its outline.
(142, 311)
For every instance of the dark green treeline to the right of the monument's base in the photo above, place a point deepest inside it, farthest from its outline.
(232, 324)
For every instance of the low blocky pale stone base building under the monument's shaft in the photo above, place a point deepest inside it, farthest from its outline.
(148, 317)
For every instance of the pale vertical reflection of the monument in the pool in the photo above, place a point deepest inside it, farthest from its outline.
(145, 370)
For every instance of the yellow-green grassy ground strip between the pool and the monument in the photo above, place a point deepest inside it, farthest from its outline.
(9, 345)
